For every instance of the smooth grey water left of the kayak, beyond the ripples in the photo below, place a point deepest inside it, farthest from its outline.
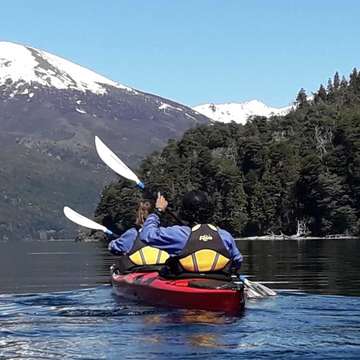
(51, 266)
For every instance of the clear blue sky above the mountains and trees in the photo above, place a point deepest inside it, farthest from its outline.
(197, 51)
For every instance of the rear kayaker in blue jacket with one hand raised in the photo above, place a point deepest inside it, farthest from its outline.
(198, 248)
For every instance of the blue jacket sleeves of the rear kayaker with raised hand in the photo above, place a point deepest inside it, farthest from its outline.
(174, 238)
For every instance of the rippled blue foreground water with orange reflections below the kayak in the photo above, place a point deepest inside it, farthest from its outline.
(90, 324)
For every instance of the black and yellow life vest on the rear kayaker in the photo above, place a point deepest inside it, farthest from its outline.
(204, 251)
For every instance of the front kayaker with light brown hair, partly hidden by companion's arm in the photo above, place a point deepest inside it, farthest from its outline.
(134, 254)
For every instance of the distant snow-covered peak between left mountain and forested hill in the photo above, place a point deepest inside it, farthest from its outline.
(239, 112)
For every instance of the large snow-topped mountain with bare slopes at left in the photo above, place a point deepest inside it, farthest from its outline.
(50, 111)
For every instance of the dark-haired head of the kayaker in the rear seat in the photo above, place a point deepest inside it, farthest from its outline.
(196, 207)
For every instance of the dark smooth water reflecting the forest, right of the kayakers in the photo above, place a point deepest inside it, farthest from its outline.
(321, 266)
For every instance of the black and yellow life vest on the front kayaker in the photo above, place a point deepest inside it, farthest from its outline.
(142, 257)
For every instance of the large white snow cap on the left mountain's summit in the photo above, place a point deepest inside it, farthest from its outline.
(22, 65)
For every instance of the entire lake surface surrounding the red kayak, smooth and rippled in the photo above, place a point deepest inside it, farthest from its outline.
(55, 303)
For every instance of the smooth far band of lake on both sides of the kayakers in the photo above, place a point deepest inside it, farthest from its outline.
(319, 266)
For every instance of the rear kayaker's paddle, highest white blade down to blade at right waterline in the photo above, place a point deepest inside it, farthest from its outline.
(114, 163)
